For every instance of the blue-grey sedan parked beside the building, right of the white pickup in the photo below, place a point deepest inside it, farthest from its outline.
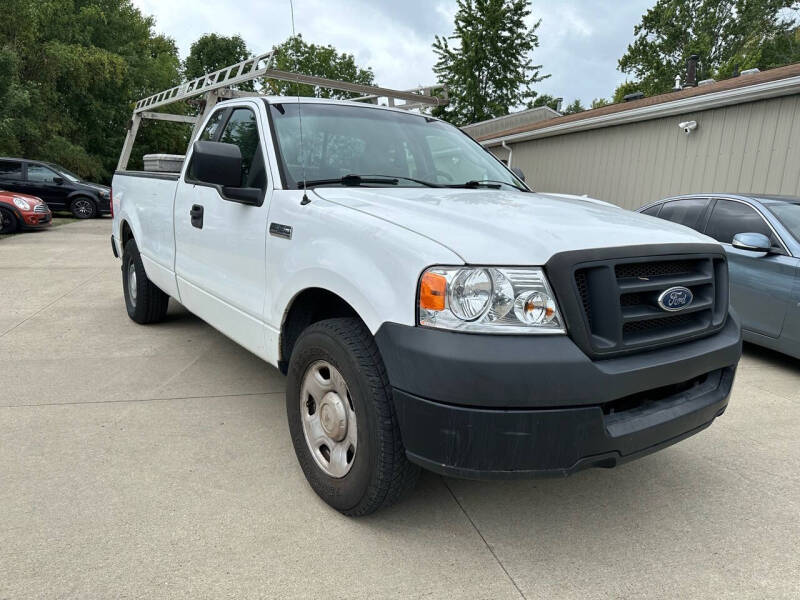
(761, 235)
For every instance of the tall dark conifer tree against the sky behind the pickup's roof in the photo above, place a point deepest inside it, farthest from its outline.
(486, 64)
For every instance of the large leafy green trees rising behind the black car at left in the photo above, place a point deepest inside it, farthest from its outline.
(69, 72)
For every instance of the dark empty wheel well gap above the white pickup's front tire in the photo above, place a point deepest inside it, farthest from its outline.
(308, 307)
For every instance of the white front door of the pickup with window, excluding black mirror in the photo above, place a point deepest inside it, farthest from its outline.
(220, 259)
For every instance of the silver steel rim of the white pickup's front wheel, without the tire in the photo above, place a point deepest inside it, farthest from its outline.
(329, 419)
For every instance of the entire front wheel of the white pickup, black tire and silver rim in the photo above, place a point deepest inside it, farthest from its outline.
(342, 420)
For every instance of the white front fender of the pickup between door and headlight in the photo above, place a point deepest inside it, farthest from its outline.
(371, 264)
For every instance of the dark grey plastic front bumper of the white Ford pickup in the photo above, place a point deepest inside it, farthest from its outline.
(486, 406)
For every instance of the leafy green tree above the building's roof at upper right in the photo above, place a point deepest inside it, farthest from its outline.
(721, 32)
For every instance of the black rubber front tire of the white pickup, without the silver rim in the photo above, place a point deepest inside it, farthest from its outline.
(380, 472)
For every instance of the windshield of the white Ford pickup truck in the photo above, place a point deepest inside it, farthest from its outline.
(340, 140)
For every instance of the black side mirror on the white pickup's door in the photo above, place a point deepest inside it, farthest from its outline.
(220, 165)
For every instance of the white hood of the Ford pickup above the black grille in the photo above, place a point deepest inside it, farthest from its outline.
(507, 227)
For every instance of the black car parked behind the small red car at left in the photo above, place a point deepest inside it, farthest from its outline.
(59, 188)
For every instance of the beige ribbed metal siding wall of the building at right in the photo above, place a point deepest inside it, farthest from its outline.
(752, 147)
